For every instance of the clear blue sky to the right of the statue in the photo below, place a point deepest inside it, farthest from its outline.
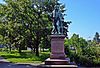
(85, 17)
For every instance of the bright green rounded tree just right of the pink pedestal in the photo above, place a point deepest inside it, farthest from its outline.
(76, 42)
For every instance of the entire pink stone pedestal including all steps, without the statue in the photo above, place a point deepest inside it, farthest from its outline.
(57, 57)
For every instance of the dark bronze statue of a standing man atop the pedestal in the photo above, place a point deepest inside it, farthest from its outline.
(57, 20)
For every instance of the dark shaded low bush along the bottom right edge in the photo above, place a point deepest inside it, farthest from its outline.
(85, 60)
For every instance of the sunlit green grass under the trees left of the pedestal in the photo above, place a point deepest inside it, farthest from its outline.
(24, 57)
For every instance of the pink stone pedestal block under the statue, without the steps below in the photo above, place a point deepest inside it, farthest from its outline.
(57, 47)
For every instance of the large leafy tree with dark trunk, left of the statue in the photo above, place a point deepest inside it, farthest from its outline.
(25, 22)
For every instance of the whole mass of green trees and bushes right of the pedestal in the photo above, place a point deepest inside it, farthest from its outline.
(83, 52)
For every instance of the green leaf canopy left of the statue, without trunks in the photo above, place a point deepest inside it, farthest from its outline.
(20, 23)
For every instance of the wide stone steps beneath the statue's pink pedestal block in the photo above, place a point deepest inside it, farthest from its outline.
(58, 63)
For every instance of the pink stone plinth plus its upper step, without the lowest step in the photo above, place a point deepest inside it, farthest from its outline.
(57, 56)
